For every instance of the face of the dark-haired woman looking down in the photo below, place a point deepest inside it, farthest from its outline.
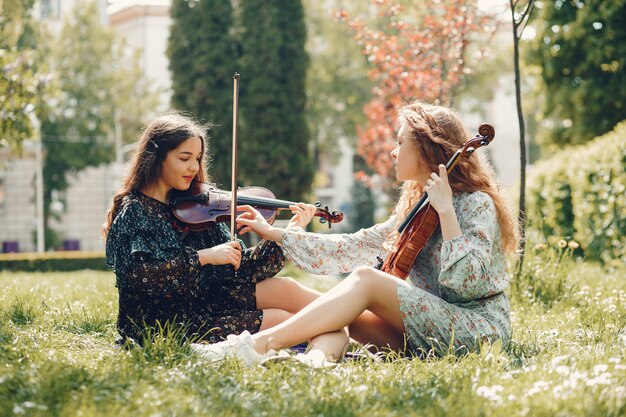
(181, 164)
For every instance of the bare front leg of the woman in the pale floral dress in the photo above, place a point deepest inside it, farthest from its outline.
(363, 289)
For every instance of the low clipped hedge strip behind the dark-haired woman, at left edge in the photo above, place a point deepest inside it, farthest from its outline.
(52, 261)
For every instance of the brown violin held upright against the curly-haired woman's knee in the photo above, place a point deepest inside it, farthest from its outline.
(419, 225)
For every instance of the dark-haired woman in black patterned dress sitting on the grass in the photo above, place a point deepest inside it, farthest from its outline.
(187, 279)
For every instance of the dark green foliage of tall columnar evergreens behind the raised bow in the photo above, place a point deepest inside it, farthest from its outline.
(204, 54)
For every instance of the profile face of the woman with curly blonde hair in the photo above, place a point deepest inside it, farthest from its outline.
(408, 161)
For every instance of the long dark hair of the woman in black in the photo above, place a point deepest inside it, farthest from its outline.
(162, 135)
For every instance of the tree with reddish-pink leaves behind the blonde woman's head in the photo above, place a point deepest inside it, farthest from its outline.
(420, 52)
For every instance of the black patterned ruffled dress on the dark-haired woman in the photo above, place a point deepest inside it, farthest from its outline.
(159, 277)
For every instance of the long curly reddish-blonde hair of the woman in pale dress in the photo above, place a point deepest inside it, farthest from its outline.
(438, 133)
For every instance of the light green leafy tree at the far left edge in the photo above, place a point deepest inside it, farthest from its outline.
(23, 80)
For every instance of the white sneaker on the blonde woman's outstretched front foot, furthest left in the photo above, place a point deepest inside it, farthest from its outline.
(237, 346)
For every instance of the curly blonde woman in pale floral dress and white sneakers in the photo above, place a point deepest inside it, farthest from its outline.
(454, 296)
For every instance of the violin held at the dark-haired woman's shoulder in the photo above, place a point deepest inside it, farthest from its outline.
(203, 203)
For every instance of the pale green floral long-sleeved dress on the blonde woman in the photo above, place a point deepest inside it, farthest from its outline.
(454, 295)
